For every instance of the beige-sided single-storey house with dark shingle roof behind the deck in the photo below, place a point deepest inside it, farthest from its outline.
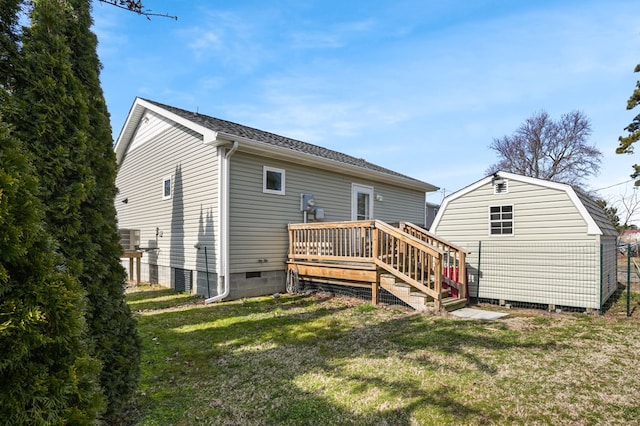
(211, 199)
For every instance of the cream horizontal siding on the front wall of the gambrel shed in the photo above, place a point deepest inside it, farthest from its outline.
(550, 259)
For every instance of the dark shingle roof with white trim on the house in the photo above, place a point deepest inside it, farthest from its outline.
(219, 132)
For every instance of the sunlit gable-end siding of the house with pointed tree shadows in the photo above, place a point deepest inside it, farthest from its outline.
(188, 217)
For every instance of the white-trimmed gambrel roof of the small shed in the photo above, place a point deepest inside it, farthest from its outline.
(597, 222)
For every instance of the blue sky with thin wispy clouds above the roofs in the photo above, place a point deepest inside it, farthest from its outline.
(419, 87)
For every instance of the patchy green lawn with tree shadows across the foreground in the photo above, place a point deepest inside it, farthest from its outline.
(319, 360)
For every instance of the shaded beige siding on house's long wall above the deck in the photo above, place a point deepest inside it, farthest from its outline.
(258, 221)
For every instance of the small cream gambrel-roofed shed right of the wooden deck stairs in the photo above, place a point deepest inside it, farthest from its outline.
(532, 242)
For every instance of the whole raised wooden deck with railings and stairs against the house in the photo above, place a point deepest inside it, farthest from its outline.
(406, 260)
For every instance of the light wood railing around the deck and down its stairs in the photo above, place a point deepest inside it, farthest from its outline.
(408, 252)
